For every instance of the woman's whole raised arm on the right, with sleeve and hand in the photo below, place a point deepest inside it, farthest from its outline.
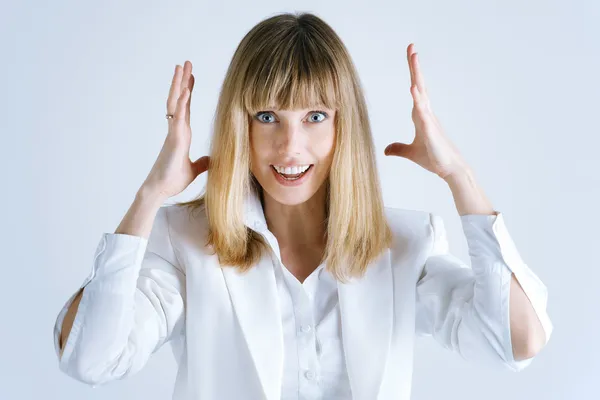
(498, 306)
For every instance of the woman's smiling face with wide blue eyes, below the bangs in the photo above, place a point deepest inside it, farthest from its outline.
(284, 143)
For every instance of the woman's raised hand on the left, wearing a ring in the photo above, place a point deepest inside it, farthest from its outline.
(173, 170)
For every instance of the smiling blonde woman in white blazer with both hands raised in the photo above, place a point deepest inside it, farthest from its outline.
(288, 278)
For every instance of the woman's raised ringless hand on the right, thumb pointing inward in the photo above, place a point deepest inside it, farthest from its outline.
(430, 149)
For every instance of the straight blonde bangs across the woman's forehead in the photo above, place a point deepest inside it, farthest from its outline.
(291, 74)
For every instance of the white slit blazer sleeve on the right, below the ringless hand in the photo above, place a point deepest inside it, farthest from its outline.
(466, 309)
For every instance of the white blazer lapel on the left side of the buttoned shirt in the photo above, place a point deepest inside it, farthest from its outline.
(256, 303)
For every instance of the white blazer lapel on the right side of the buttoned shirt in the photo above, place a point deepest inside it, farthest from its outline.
(366, 308)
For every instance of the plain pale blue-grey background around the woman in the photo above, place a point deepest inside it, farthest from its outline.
(514, 84)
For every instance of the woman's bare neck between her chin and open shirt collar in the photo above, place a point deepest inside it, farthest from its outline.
(299, 225)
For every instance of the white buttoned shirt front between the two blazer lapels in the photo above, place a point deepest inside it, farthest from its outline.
(314, 366)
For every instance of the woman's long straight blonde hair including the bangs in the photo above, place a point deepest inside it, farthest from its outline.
(295, 61)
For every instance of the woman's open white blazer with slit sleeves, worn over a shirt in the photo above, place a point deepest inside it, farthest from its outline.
(226, 330)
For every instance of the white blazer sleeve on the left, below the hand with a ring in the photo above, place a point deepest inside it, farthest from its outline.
(133, 302)
